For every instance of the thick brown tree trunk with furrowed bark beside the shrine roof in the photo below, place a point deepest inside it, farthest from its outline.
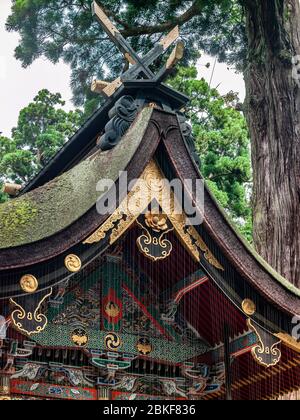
(272, 109)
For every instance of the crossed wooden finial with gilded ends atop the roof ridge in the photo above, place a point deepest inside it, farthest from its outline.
(139, 67)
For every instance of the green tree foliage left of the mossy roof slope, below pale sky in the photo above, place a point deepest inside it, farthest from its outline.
(43, 127)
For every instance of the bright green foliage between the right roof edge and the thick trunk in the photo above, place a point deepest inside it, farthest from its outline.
(223, 145)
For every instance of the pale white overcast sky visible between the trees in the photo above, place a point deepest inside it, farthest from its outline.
(18, 86)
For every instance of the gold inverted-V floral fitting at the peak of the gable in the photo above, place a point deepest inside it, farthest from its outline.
(152, 186)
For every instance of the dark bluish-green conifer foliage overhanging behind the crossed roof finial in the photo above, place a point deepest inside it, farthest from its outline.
(66, 29)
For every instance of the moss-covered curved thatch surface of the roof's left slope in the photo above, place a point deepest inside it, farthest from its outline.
(56, 205)
